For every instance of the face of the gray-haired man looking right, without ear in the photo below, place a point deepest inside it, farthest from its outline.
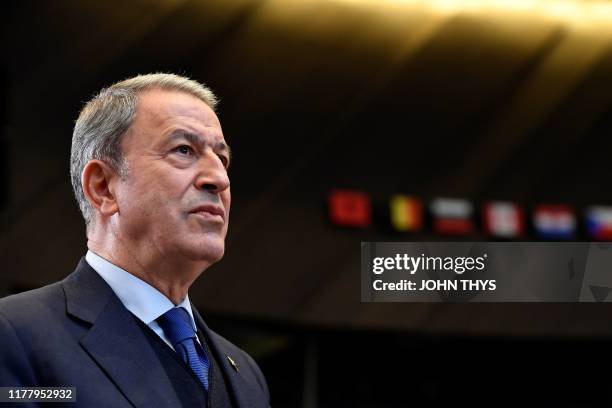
(175, 200)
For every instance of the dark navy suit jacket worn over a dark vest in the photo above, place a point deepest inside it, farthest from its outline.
(77, 333)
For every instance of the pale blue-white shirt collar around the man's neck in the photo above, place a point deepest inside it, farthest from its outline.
(140, 298)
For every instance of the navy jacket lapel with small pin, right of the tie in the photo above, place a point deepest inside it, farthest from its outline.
(240, 385)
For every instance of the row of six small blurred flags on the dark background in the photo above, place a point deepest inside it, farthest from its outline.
(500, 219)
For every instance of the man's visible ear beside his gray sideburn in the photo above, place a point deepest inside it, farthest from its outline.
(98, 180)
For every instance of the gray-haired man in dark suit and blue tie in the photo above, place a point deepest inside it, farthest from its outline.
(149, 170)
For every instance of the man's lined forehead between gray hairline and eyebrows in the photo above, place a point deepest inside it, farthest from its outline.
(163, 111)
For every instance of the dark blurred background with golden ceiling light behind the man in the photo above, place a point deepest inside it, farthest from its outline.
(482, 100)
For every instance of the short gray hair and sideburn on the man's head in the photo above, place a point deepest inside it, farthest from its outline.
(107, 117)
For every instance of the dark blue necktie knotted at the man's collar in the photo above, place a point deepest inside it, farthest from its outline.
(176, 324)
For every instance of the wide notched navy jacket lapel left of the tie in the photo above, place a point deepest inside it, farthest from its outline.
(116, 342)
